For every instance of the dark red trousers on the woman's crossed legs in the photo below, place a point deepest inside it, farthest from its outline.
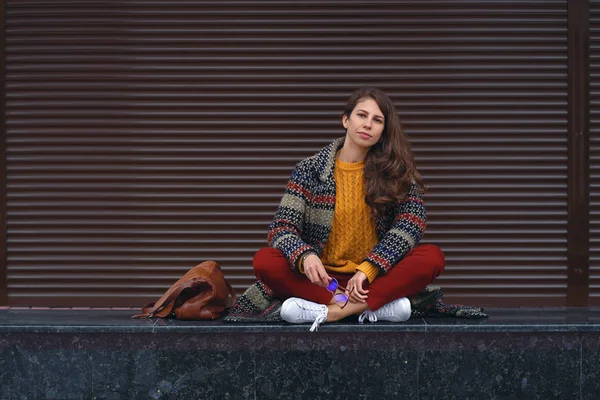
(410, 276)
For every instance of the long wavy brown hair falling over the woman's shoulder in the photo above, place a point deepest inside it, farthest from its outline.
(390, 166)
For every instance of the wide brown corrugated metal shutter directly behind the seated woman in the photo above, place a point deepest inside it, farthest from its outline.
(144, 137)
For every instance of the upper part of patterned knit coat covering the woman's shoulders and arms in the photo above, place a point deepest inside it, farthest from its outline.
(303, 220)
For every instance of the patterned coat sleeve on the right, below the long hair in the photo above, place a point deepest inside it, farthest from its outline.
(410, 221)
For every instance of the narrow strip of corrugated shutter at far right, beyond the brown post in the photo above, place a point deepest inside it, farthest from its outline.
(594, 153)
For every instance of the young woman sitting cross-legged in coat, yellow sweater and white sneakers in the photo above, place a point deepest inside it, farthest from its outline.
(344, 239)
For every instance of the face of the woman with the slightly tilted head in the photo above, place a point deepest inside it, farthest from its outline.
(365, 125)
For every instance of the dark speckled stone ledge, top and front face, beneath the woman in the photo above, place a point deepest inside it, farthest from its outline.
(105, 355)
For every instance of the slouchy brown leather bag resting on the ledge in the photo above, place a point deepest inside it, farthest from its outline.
(202, 293)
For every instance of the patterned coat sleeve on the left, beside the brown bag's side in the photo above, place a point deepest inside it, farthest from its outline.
(285, 232)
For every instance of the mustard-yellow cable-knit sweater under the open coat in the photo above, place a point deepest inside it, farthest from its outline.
(353, 233)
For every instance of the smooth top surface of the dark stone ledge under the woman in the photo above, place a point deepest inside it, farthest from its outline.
(119, 321)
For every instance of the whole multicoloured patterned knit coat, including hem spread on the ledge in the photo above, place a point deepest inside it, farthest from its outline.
(303, 223)
